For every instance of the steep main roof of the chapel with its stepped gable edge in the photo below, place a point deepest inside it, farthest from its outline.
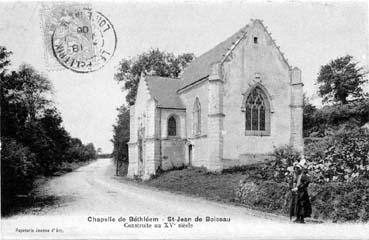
(200, 68)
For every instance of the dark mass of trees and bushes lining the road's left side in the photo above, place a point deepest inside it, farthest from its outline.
(33, 138)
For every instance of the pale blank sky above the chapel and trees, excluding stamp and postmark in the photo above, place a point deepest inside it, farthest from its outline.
(310, 34)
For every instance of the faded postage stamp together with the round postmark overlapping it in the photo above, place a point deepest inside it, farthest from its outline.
(78, 38)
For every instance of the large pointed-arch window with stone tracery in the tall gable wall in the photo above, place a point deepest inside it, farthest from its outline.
(257, 113)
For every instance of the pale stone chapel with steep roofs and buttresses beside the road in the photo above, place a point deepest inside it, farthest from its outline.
(231, 106)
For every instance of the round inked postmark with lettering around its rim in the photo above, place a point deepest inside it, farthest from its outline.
(84, 41)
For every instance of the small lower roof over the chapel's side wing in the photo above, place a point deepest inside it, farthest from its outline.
(164, 91)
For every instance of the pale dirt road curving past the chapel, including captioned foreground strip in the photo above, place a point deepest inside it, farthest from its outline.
(92, 194)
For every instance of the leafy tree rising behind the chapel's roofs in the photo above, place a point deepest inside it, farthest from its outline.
(153, 62)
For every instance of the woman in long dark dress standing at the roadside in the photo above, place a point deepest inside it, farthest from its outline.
(300, 204)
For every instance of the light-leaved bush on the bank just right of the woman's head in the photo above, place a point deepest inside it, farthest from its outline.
(343, 157)
